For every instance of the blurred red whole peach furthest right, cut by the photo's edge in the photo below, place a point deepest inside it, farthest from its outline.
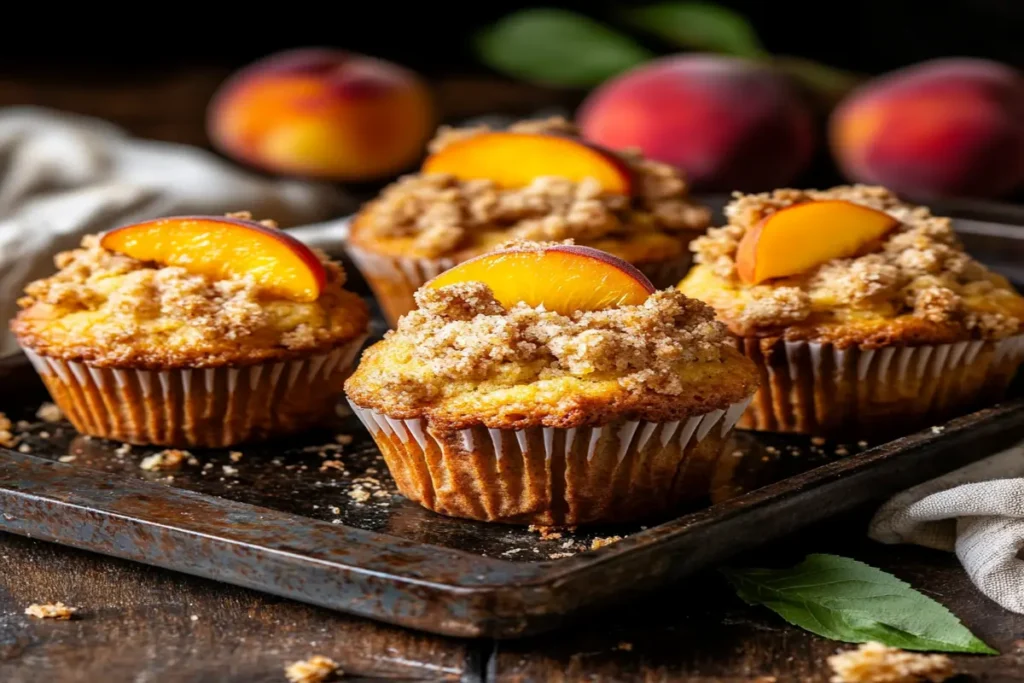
(944, 129)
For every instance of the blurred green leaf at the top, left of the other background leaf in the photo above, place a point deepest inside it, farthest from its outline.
(558, 48)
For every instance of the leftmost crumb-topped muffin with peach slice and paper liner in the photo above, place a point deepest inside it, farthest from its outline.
(193, 332)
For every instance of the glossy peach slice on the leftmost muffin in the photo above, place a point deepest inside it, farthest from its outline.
(222, 247)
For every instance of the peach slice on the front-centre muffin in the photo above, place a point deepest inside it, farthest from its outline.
(564, 279)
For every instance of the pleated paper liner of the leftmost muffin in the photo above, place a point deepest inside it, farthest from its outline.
(203, 407)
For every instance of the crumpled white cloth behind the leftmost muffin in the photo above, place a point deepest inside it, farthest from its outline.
(65, 177)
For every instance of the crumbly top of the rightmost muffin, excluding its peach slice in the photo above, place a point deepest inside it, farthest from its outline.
(919, 270)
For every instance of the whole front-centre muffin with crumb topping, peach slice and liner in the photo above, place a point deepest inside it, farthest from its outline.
(593, 399)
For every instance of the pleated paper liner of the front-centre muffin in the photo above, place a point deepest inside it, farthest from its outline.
(546, 476)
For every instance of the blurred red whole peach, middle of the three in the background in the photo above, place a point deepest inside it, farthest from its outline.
(729, 123)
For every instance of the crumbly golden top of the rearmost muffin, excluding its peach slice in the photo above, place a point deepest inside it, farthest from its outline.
(437, 215)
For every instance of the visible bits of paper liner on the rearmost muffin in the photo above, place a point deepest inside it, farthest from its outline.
(396, 280)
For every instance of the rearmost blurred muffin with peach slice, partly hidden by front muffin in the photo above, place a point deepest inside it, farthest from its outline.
(539, 182)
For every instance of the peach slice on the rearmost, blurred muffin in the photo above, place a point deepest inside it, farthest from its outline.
(515, 160)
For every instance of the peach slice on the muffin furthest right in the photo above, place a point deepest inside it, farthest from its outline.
(801, 237)
